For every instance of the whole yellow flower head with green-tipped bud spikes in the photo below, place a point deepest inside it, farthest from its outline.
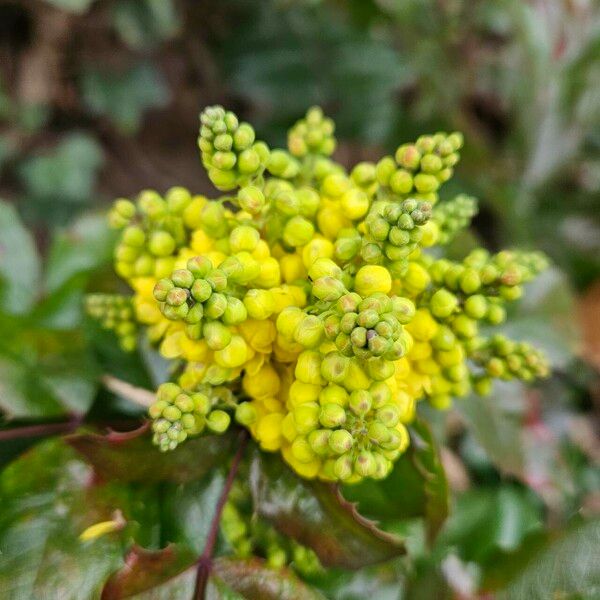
(312, 305)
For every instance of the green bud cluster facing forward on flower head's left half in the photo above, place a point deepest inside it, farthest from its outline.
(198, 296)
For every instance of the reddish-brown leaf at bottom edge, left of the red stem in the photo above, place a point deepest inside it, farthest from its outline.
(146, 569)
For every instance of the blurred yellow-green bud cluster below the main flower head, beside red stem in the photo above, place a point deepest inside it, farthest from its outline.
(252, 536)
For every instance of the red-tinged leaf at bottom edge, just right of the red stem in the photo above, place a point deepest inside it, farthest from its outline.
(253, 580)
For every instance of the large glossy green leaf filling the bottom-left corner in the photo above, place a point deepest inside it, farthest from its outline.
(46, 503)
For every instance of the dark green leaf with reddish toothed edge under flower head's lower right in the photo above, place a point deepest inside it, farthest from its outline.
(420, 476)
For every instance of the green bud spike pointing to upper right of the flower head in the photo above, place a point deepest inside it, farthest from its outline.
(417, 170)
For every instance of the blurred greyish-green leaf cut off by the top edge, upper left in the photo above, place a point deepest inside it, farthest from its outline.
(144, 23)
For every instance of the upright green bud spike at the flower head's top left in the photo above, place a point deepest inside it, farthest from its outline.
(230, 152)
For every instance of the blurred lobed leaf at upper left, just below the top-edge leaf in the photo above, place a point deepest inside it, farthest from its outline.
(124, 97)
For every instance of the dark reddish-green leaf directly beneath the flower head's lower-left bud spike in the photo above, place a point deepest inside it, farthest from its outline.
(132, 456)
